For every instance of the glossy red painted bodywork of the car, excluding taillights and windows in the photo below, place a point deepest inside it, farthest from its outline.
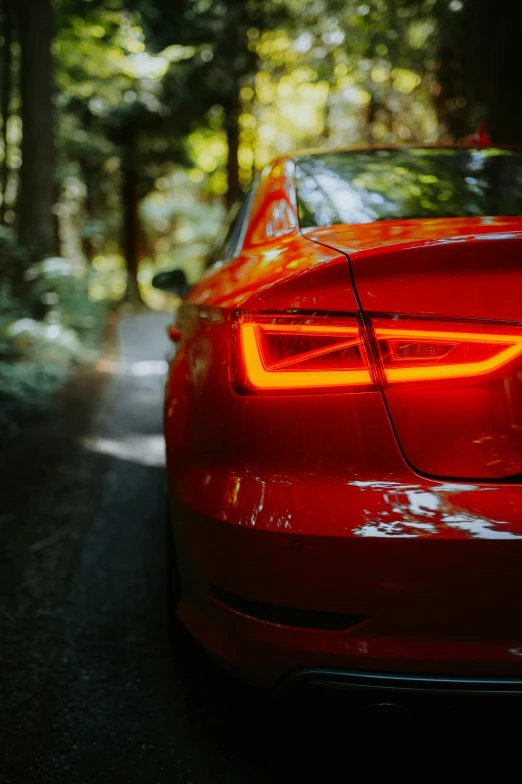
(351, 474)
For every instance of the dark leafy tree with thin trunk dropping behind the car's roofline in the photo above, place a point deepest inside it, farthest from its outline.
(226, 59)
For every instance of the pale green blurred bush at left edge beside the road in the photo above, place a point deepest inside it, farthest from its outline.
(47, 326)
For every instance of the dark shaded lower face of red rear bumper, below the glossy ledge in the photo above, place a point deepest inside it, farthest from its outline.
(433, 621)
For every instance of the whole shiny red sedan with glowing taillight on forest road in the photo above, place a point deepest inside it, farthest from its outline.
(343, 422)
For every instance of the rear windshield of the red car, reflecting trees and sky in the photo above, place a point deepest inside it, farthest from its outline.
(373, 185)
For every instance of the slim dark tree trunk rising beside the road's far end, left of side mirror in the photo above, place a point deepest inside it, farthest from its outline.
(131, 219)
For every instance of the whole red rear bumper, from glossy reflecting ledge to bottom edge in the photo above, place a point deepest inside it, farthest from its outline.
(439, 599)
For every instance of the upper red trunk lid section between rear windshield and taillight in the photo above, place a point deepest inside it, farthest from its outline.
(456, 267)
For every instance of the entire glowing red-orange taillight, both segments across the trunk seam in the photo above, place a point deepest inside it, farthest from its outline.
(299, 353)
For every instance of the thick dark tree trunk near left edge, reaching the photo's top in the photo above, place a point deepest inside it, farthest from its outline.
(37, 188)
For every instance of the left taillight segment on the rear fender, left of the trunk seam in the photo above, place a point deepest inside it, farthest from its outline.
(293, 354)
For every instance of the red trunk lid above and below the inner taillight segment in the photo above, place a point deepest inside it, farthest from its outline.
(461, 275)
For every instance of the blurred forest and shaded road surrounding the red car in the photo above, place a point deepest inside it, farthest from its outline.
(126, 127)
